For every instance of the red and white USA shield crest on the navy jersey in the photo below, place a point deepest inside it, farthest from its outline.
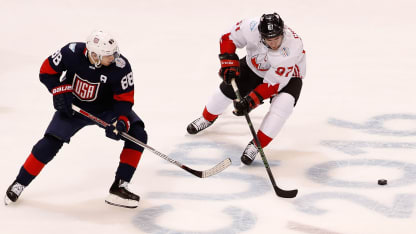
(85, 90)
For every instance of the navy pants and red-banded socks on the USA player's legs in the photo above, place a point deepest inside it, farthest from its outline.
(62, 128)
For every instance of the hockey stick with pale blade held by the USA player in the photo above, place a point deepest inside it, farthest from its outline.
(201, 174)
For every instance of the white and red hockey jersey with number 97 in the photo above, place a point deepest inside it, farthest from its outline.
(275, 66)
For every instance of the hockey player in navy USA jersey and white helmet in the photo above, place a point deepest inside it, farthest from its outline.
(98, 79)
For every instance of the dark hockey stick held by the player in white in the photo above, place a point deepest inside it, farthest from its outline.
(279, 192)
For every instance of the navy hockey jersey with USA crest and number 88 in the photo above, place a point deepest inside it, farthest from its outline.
(96, 90)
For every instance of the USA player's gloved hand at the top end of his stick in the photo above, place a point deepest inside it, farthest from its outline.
(62, 99)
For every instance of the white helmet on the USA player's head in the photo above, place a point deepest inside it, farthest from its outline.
(102, 44)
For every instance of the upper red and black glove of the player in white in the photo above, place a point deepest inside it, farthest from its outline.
(230, 67)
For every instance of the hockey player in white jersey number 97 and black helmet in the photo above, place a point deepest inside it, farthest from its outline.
(274, 68)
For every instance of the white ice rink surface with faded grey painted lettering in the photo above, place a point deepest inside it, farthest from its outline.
(354, 122)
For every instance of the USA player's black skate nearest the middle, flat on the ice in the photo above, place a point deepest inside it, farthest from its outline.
(121, 196)
